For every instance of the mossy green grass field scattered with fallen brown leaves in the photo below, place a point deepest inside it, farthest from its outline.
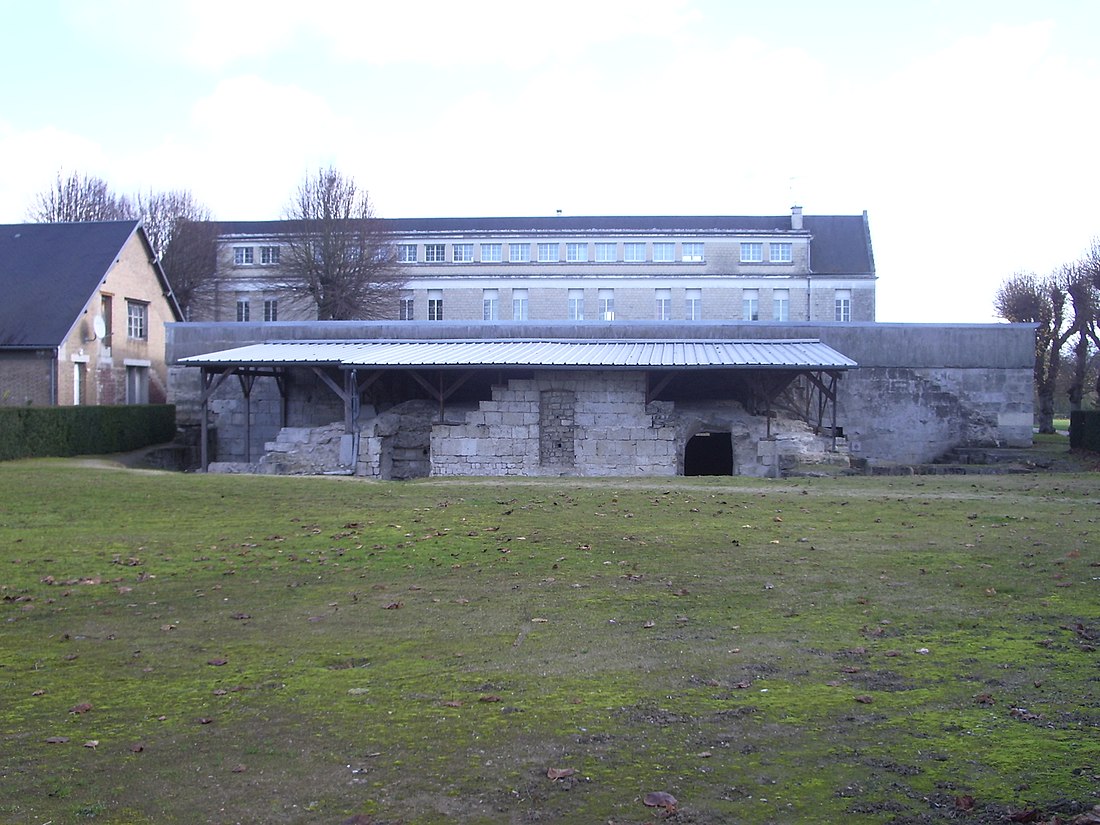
(236, 650)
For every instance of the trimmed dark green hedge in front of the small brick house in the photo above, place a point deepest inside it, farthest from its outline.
(38, 432)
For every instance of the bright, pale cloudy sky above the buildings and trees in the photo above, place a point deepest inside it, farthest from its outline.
(966, 129)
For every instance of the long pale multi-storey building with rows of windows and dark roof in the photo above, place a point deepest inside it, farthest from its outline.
(782, 269)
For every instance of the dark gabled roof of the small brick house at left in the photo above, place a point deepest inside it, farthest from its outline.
(49, 272)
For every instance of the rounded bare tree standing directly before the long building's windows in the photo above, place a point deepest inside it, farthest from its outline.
(338, 254)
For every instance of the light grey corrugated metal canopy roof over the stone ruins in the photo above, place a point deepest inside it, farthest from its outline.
(802, 355)
